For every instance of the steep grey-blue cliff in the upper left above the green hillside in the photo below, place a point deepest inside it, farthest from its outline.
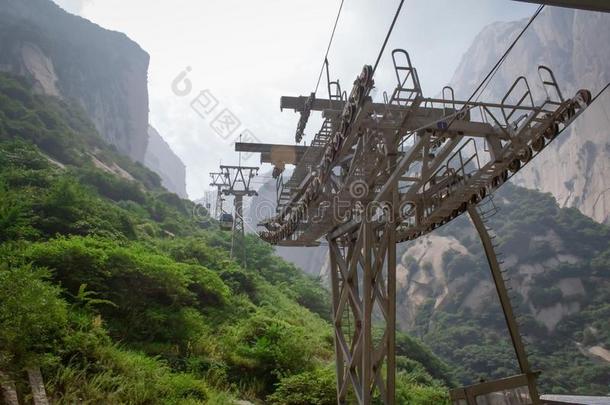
(70, 57)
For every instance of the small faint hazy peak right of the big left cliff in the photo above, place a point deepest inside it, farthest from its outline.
(160, 158)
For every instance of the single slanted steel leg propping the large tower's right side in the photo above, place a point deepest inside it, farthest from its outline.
(507, 309)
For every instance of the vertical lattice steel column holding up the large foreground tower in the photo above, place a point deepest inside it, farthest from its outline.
(363, 278)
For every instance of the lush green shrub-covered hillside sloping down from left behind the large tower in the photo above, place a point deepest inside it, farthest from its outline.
(124, 293)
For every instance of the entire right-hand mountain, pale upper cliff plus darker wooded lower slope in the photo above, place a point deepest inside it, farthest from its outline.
(555, 258)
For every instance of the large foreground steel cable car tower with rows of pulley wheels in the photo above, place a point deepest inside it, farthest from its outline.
(381, 173)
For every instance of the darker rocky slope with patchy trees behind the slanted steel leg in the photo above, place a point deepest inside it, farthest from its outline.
(555, 262)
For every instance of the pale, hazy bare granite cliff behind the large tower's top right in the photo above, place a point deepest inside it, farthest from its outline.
(574, 44)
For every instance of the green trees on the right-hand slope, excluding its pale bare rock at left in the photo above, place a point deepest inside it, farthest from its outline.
(560, 247)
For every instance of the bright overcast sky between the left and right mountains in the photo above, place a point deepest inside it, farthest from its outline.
(247, 54)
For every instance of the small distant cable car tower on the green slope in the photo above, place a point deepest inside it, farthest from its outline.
(237, 183)
